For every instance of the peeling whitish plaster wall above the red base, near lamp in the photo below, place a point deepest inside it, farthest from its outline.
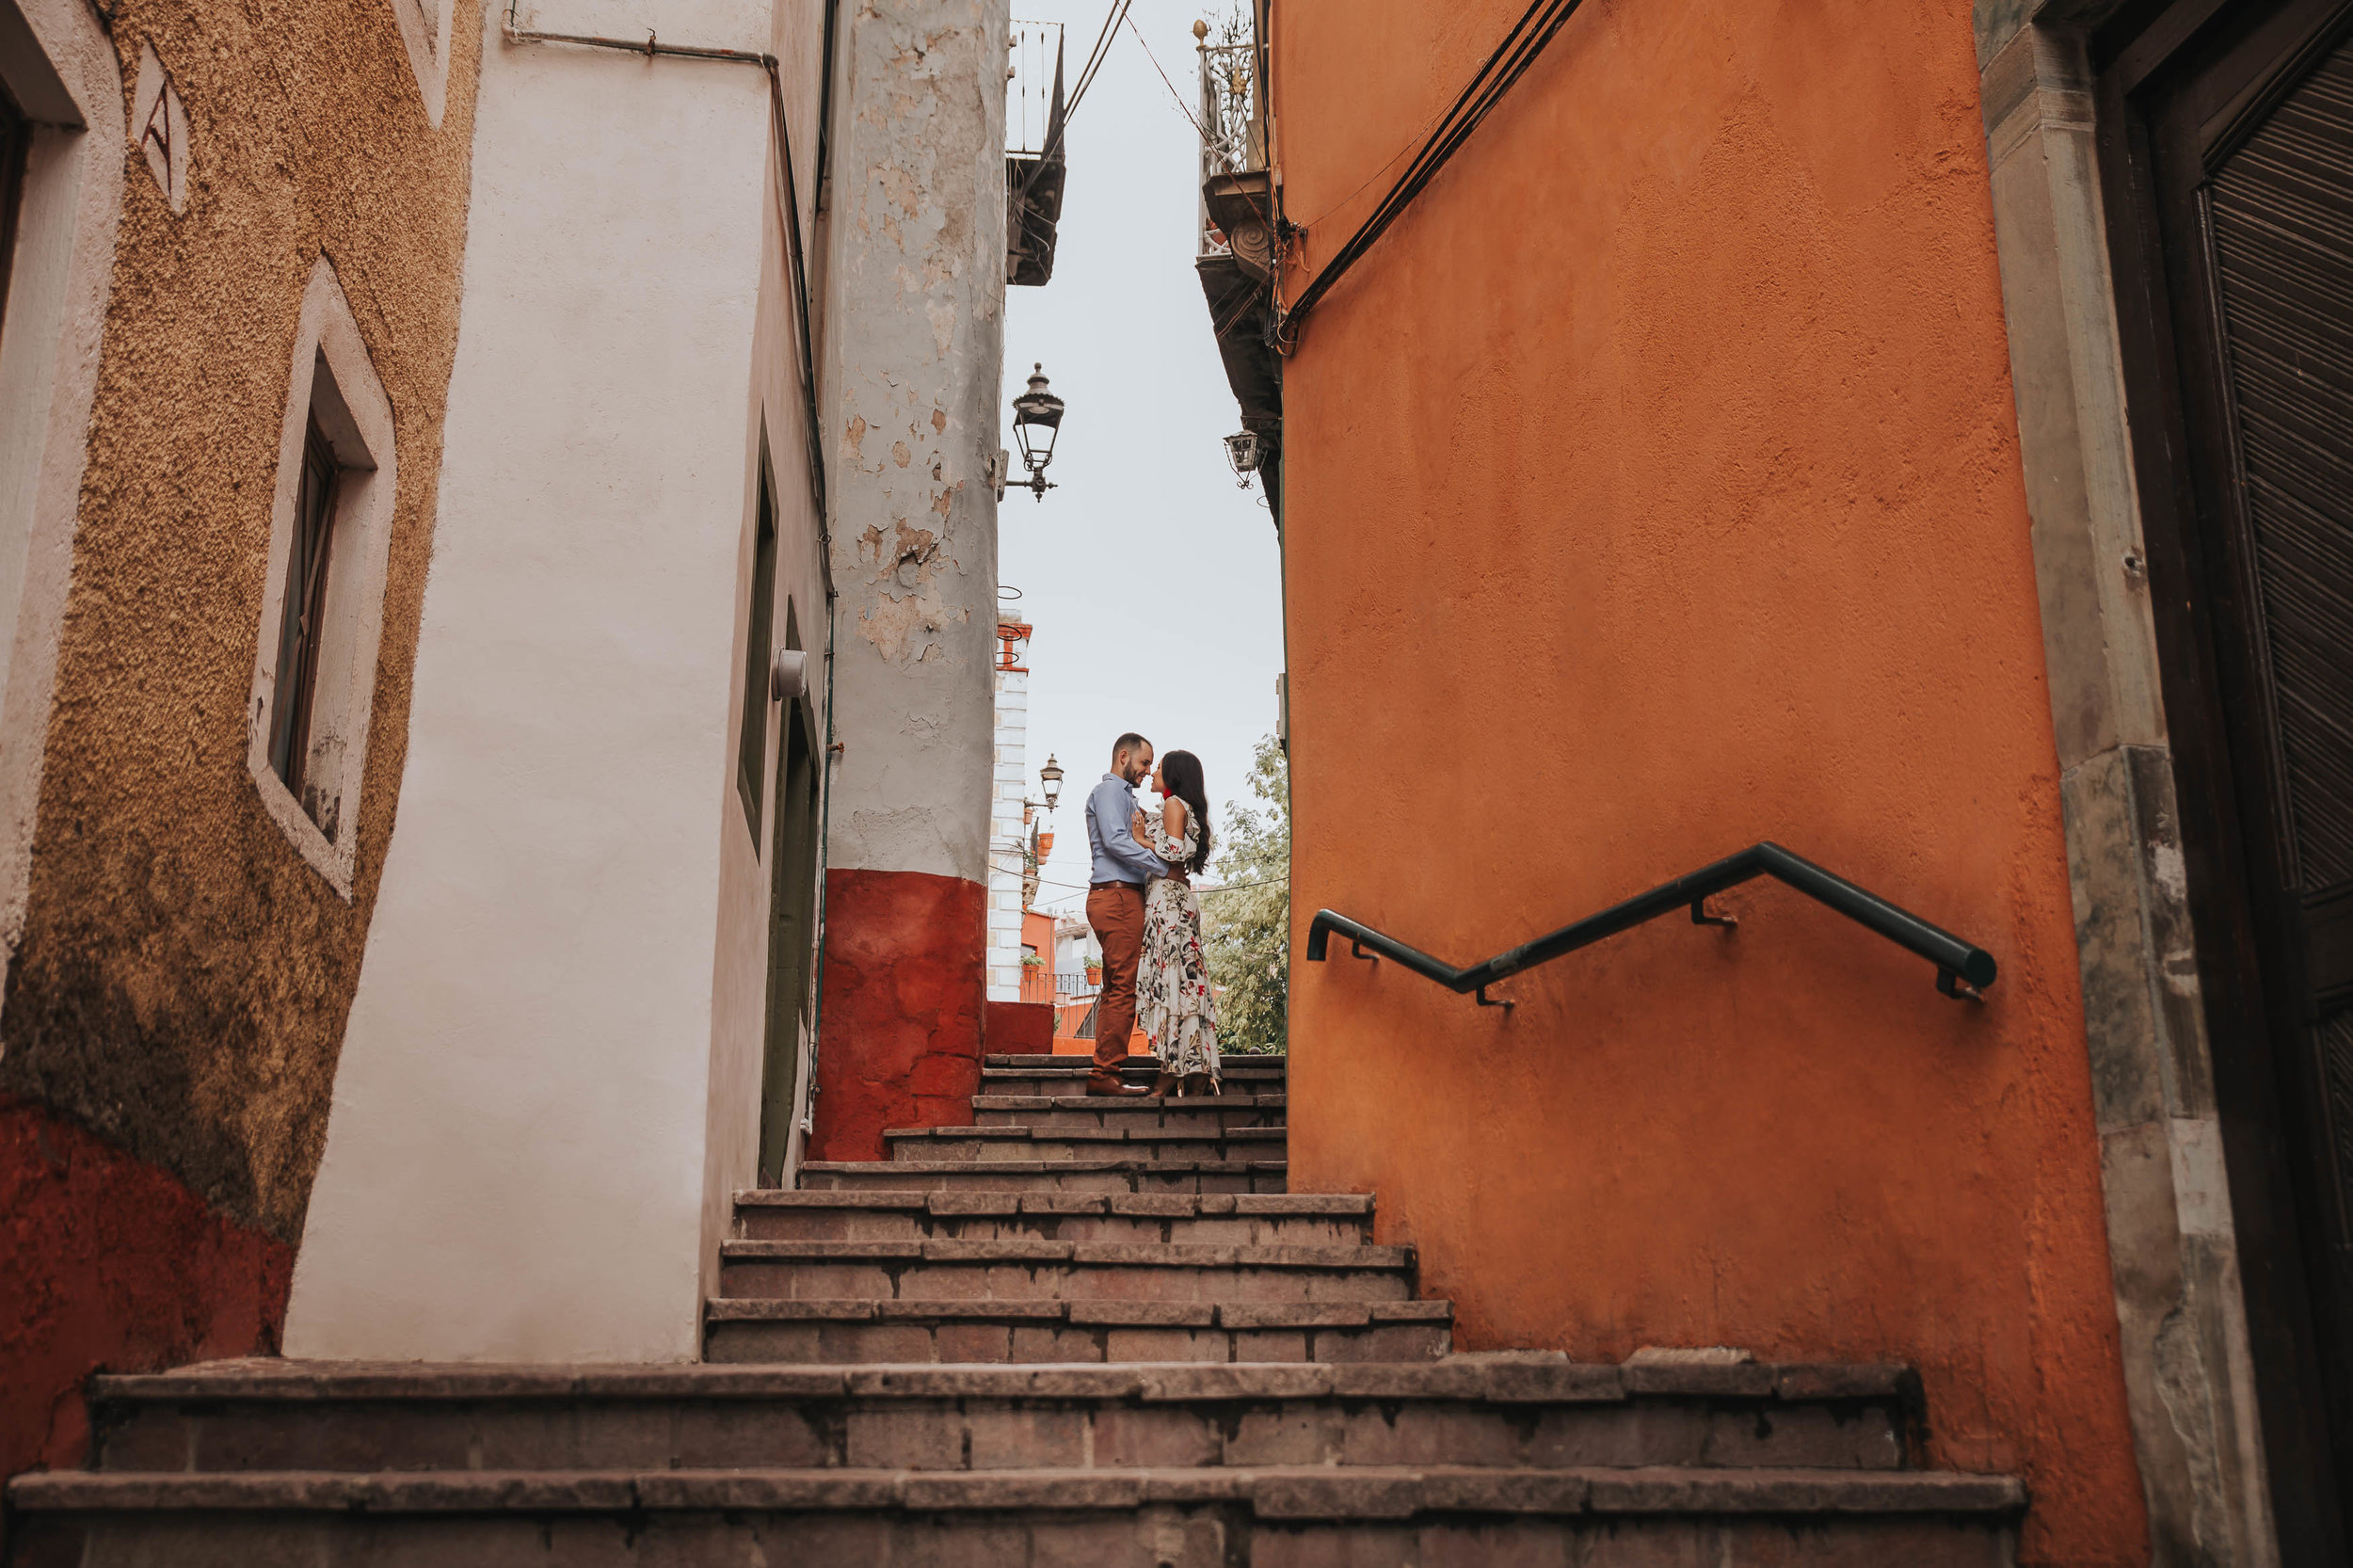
(914, 373)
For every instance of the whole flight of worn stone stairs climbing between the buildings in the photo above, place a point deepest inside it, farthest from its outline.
(1081, 1331)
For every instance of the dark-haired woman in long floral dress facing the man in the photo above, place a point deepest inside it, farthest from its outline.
(1173, 983)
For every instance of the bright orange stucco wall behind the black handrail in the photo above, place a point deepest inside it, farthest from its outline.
(1653, 489)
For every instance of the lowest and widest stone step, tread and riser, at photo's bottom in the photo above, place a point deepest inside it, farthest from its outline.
(1279, 1517)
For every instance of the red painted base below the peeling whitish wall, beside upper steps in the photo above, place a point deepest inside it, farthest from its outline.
(905, 988)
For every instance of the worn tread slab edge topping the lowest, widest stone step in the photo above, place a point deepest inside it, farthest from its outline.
(1305, 1494)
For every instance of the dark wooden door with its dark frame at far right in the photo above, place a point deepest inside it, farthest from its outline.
(2232, 168)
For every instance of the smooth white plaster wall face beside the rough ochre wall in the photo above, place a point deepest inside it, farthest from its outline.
(516, 1160)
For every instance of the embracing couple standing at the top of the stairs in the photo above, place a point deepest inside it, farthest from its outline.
(1142, 908)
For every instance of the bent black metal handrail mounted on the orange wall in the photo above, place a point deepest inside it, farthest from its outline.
(1964, 969)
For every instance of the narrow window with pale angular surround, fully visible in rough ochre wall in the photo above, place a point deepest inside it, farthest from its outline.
(324, 597)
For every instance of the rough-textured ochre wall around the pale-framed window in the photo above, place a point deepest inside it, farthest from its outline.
(185, 976)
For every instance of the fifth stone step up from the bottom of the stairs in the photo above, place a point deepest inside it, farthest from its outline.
(1055, 1216)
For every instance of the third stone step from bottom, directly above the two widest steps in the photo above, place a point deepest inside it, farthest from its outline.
(862, 1331)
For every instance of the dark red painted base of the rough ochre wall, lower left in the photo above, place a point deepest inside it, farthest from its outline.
(112, 1265)
